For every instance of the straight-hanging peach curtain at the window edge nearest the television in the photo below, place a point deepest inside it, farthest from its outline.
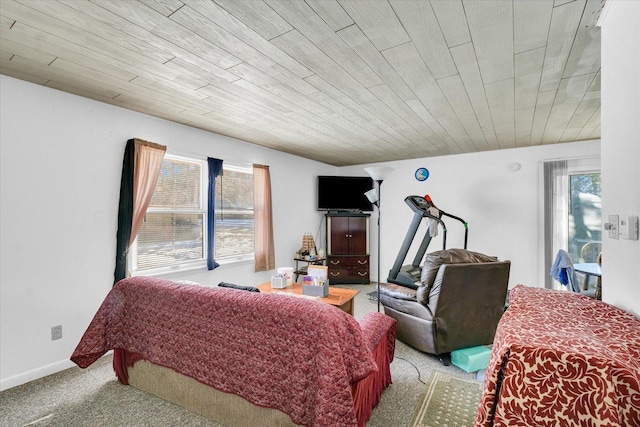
(263, 216)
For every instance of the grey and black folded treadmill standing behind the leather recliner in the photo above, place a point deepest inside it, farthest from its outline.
(409, 275)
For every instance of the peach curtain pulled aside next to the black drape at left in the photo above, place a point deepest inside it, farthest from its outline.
(147, 162)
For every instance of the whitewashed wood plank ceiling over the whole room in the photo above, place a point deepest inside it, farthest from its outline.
(339, 81)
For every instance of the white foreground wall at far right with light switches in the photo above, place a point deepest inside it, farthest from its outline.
(621, 148)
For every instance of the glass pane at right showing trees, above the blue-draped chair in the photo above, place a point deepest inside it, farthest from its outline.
(585, 217)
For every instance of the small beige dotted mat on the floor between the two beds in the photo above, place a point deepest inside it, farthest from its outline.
(447, 401)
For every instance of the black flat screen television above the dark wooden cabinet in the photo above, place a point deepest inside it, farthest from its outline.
(344, 193)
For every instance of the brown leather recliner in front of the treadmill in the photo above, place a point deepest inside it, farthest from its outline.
(457, 305)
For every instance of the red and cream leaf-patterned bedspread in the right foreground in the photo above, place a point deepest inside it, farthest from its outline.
(562, 359)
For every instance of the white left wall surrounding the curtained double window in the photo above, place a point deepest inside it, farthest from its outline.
(61, 160)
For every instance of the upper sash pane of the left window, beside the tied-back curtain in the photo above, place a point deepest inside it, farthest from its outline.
(178, 185)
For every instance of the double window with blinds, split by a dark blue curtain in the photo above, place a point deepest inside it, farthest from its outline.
(173, 233)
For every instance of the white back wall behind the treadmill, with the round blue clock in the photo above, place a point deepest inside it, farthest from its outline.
(503, 208)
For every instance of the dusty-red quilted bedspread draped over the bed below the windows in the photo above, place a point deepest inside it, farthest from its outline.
(296, 355)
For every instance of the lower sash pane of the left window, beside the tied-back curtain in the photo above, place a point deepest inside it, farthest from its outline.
(167, 239)
